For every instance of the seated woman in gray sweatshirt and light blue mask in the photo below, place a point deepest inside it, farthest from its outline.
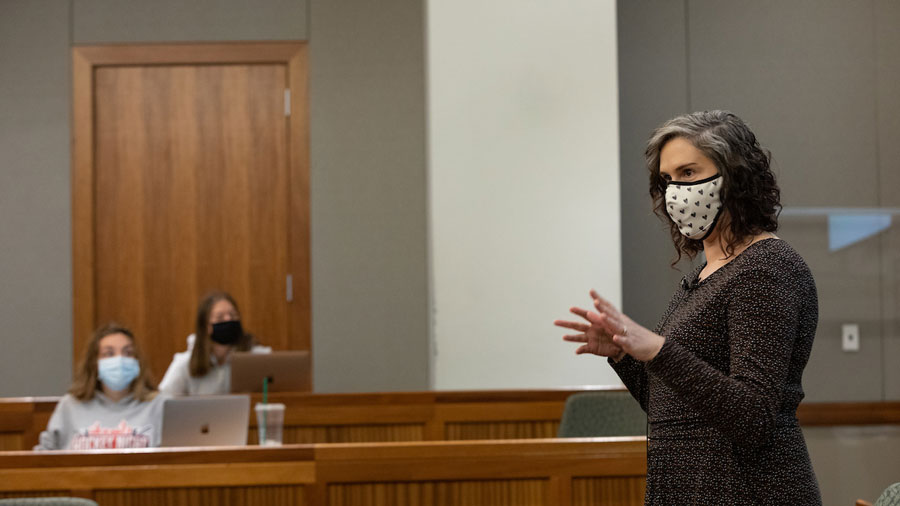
(112, 403)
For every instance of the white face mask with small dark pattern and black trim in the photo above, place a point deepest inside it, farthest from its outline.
(694, 206)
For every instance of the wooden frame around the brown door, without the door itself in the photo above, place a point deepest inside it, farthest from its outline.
(85, 59)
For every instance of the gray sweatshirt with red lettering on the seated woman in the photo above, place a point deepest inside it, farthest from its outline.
(103, 424)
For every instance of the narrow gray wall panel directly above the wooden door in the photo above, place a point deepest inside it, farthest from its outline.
(117, 21)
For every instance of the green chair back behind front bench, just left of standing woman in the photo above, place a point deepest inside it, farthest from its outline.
(602, 414)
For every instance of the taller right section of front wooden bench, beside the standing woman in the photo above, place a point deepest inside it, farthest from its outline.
(484, 472)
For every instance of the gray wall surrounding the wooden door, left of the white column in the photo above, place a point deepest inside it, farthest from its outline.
(368, 170)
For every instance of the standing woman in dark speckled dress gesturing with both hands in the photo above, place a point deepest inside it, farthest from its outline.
(720, 375)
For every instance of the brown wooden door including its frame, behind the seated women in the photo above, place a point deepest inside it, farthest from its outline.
(197, 181)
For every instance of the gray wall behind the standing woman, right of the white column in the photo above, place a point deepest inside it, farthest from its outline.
(817, 82)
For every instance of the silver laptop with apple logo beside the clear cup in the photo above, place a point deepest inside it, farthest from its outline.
(206, 420)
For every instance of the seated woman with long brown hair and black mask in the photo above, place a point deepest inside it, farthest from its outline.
(205, 367)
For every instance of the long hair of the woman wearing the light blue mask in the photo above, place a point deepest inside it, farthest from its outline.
(87, 382)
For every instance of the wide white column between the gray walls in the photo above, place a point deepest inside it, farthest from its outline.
(523, 186)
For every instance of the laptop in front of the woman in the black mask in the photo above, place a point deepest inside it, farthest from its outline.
(288, 371)
